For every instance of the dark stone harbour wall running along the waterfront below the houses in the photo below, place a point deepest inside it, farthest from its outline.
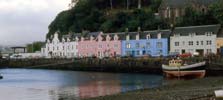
(116, 65)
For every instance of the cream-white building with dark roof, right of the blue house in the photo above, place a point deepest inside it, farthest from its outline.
(194, 39)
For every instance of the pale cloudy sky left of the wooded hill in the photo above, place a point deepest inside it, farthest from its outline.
(26, 21)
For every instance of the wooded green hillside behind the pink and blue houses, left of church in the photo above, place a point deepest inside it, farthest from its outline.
(99, 15)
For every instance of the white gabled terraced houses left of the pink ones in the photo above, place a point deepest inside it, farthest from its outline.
(62, 49)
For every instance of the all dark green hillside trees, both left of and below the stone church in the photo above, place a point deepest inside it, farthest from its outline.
(117, 15)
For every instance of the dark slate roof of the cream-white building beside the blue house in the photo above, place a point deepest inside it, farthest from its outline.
(197, 29)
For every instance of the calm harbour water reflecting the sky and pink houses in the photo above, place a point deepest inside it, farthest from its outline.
(29, 84)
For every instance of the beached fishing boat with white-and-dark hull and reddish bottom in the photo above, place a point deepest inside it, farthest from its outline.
(177, 68)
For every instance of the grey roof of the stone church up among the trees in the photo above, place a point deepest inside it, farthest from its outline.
(184, 3)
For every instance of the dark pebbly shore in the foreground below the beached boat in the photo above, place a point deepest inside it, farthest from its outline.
(197, 89)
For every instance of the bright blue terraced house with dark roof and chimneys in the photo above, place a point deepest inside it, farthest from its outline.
(152, 43)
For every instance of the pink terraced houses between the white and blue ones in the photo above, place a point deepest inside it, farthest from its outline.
(99, 45)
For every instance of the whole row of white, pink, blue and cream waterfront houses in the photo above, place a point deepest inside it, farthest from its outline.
(201, 39)
